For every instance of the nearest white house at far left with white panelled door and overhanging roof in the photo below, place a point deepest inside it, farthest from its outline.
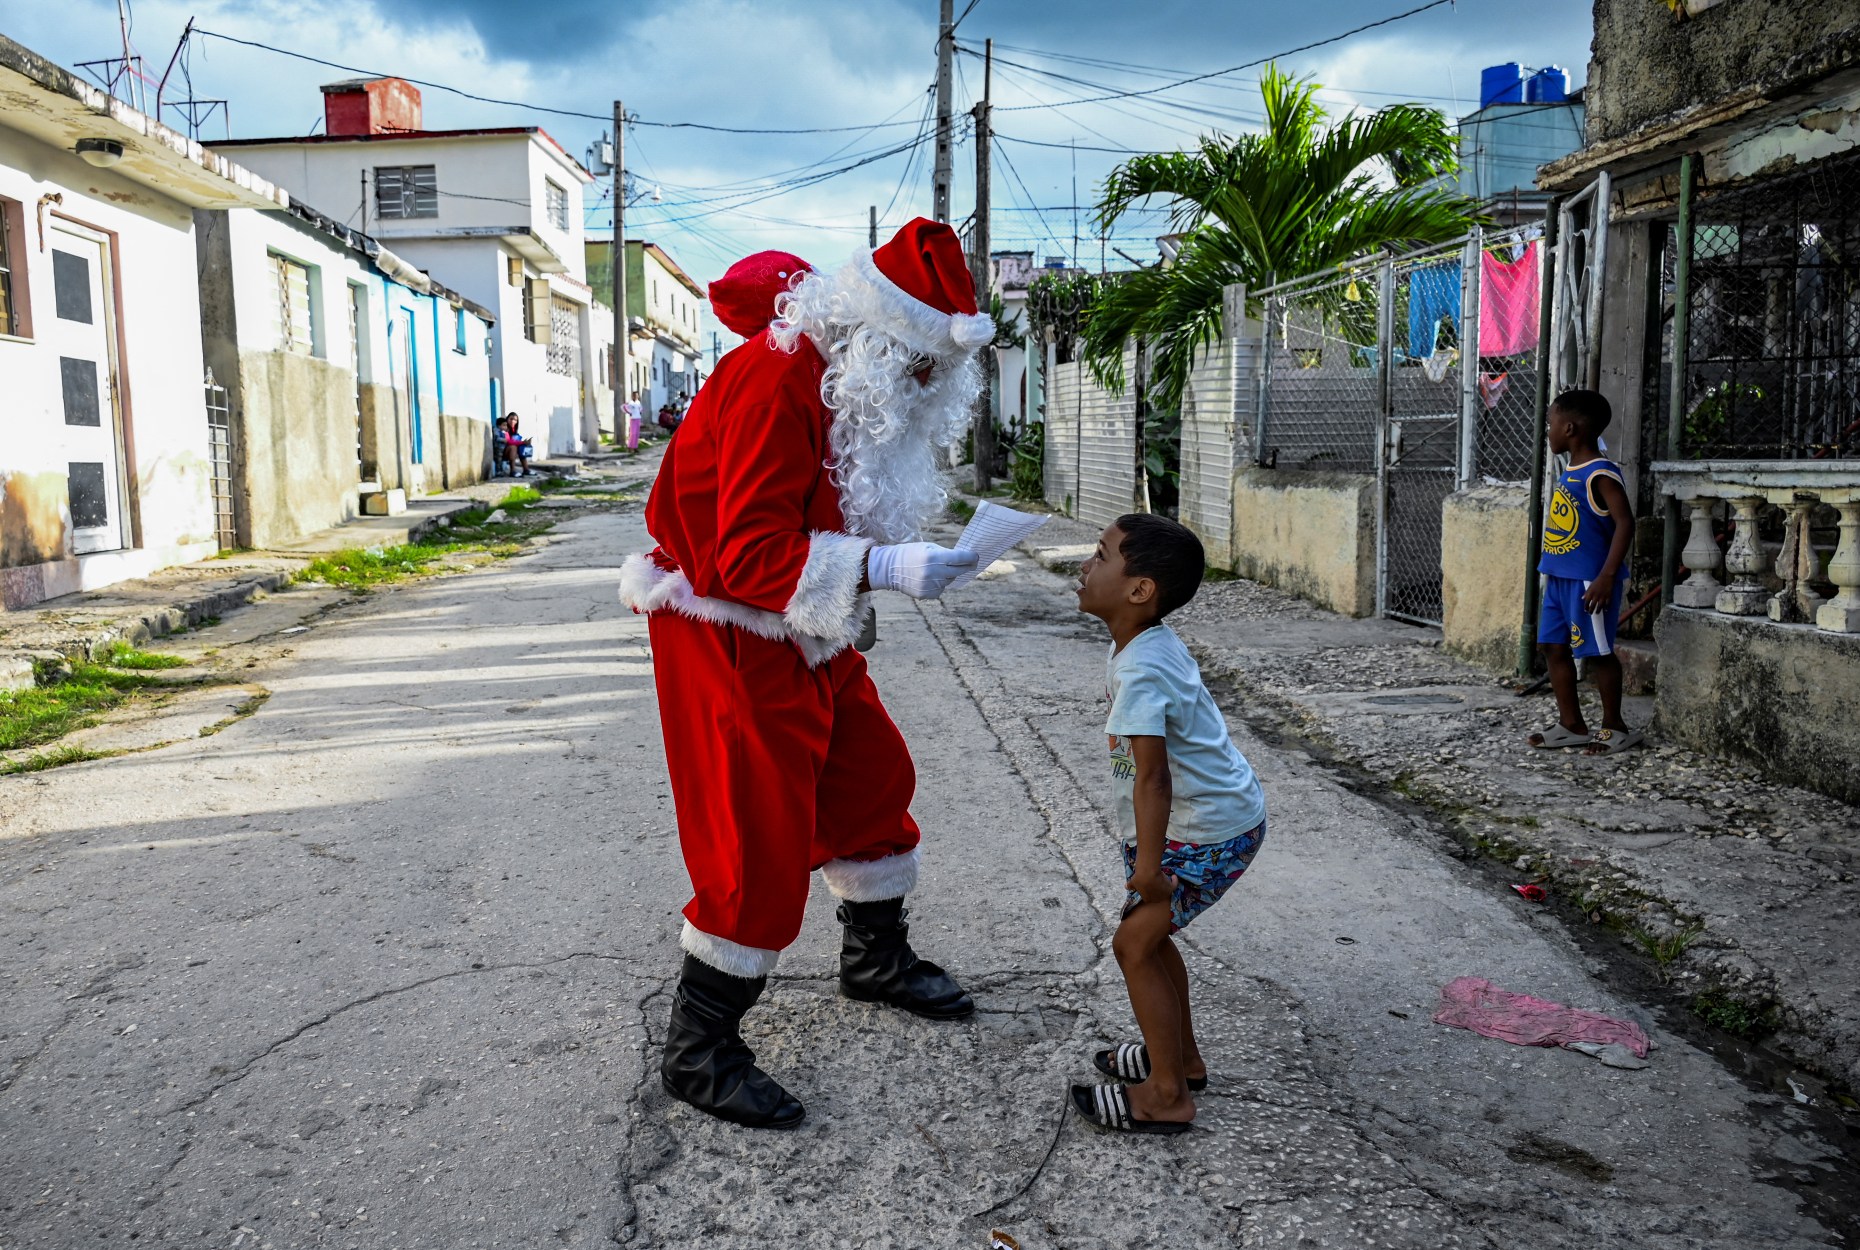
(107, 468)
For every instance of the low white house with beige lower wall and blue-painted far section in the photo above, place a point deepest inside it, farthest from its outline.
(345, 369)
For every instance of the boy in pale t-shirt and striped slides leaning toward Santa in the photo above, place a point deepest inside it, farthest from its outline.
(1189, 808)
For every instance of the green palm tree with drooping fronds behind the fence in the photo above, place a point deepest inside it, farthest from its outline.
(1299, 198)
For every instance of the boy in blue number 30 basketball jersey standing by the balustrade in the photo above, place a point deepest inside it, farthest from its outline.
(1586, 542)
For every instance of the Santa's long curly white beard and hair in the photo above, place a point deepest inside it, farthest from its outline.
(886, 429)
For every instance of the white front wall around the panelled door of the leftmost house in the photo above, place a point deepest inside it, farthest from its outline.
(163, 412)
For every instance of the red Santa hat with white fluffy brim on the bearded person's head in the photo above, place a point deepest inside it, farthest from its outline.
(918, 289)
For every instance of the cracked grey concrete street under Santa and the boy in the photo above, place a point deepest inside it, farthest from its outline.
(386, 964)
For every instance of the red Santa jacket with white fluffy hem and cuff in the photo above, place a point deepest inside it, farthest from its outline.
(747, 514)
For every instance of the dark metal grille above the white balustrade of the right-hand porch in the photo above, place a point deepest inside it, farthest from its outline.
(1774, 351)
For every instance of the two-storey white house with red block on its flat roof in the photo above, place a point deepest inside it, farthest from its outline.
(492, 213)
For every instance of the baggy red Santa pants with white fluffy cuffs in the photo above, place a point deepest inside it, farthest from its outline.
(777, 771)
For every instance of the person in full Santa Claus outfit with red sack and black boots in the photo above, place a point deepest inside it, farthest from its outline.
(795, 490)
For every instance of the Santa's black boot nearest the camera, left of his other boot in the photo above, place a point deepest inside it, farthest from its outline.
(708, 1063)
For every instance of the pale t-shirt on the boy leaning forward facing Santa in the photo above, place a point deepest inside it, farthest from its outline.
(1156, 689)
